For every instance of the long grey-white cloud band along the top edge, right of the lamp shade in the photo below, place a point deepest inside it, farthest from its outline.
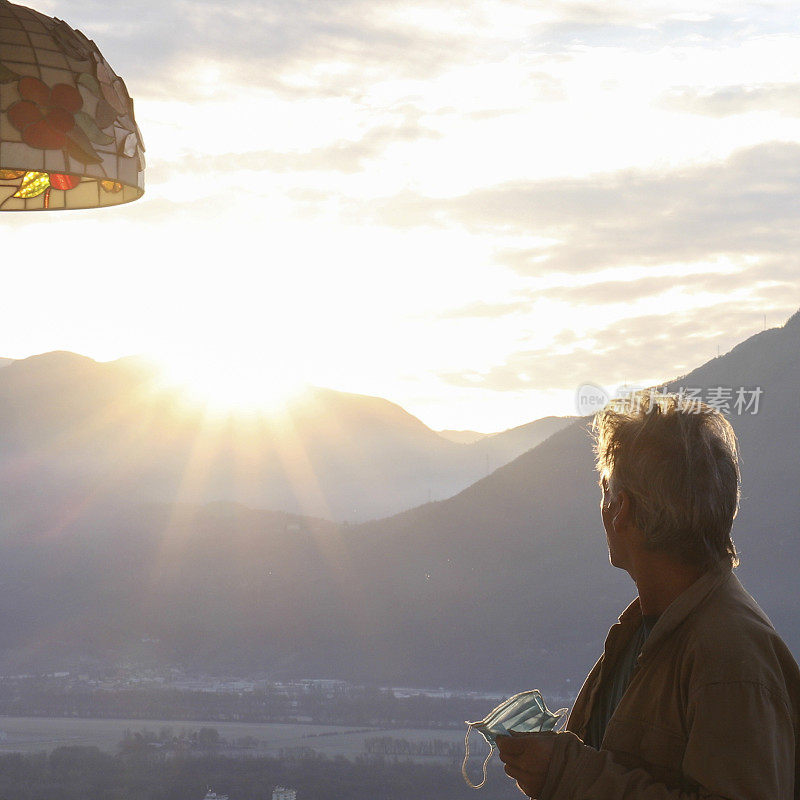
(312, 48)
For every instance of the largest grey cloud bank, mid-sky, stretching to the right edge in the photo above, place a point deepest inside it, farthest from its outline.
(745, 205)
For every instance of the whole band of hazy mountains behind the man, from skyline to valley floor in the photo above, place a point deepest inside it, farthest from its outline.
(117, 531)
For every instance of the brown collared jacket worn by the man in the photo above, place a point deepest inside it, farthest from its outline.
(711, 711)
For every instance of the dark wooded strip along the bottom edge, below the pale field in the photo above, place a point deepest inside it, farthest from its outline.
(78, 773)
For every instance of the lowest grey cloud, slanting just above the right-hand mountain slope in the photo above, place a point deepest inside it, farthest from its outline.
(655, 347)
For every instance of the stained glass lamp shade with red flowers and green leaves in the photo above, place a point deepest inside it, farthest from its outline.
(68, 138)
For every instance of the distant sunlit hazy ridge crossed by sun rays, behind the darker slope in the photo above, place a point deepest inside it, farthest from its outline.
(70, 426)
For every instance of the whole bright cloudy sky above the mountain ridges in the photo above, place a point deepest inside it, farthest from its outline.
(470, 209)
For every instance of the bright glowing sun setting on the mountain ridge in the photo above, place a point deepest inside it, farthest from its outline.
(224, 385)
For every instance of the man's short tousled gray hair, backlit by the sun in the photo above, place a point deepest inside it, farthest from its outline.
(678, 462)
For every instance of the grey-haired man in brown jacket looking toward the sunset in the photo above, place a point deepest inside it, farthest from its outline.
(695, 695)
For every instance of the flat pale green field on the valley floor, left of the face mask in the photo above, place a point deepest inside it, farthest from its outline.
(32, 734)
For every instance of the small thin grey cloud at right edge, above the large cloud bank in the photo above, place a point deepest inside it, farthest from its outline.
(731, 100)
